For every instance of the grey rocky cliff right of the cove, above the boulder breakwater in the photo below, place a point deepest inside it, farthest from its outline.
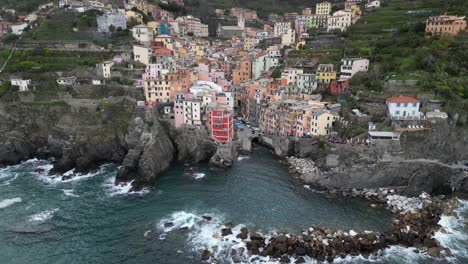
(420, 162)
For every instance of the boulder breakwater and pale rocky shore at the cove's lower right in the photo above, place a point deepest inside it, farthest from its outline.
(415, 225)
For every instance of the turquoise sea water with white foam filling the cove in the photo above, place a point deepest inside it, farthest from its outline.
(89, 220)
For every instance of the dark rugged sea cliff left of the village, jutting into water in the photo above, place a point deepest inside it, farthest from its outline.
(83, 139)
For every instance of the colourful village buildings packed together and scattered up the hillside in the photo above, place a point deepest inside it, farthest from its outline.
(238, 78)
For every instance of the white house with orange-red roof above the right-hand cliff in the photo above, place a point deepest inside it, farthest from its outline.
(403, 107)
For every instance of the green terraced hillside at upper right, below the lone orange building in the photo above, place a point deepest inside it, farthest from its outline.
(394, 40)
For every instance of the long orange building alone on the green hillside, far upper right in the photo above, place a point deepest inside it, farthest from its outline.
(445, 25)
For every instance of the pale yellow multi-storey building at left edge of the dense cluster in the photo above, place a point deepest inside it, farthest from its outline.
(157, 91)
